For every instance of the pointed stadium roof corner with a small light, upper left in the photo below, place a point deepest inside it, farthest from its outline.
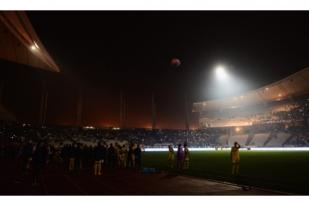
(20, 43)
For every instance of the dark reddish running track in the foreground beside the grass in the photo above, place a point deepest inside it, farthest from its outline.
(56, 181)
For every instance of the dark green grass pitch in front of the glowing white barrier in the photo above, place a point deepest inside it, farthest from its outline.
(279, 170)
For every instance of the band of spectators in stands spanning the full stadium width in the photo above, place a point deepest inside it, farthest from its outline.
(14, 133)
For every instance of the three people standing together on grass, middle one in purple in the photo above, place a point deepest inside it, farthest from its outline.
(183, 157)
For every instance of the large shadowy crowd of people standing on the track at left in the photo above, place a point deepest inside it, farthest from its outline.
(34, 157)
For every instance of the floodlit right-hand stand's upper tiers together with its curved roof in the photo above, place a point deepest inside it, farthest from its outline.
(263, 105)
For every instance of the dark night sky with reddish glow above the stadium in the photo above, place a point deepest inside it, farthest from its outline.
(108, 51)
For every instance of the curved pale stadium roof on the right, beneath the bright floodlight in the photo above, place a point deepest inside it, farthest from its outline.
(292, 86)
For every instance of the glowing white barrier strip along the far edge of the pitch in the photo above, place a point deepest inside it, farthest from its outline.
(228, 148)
